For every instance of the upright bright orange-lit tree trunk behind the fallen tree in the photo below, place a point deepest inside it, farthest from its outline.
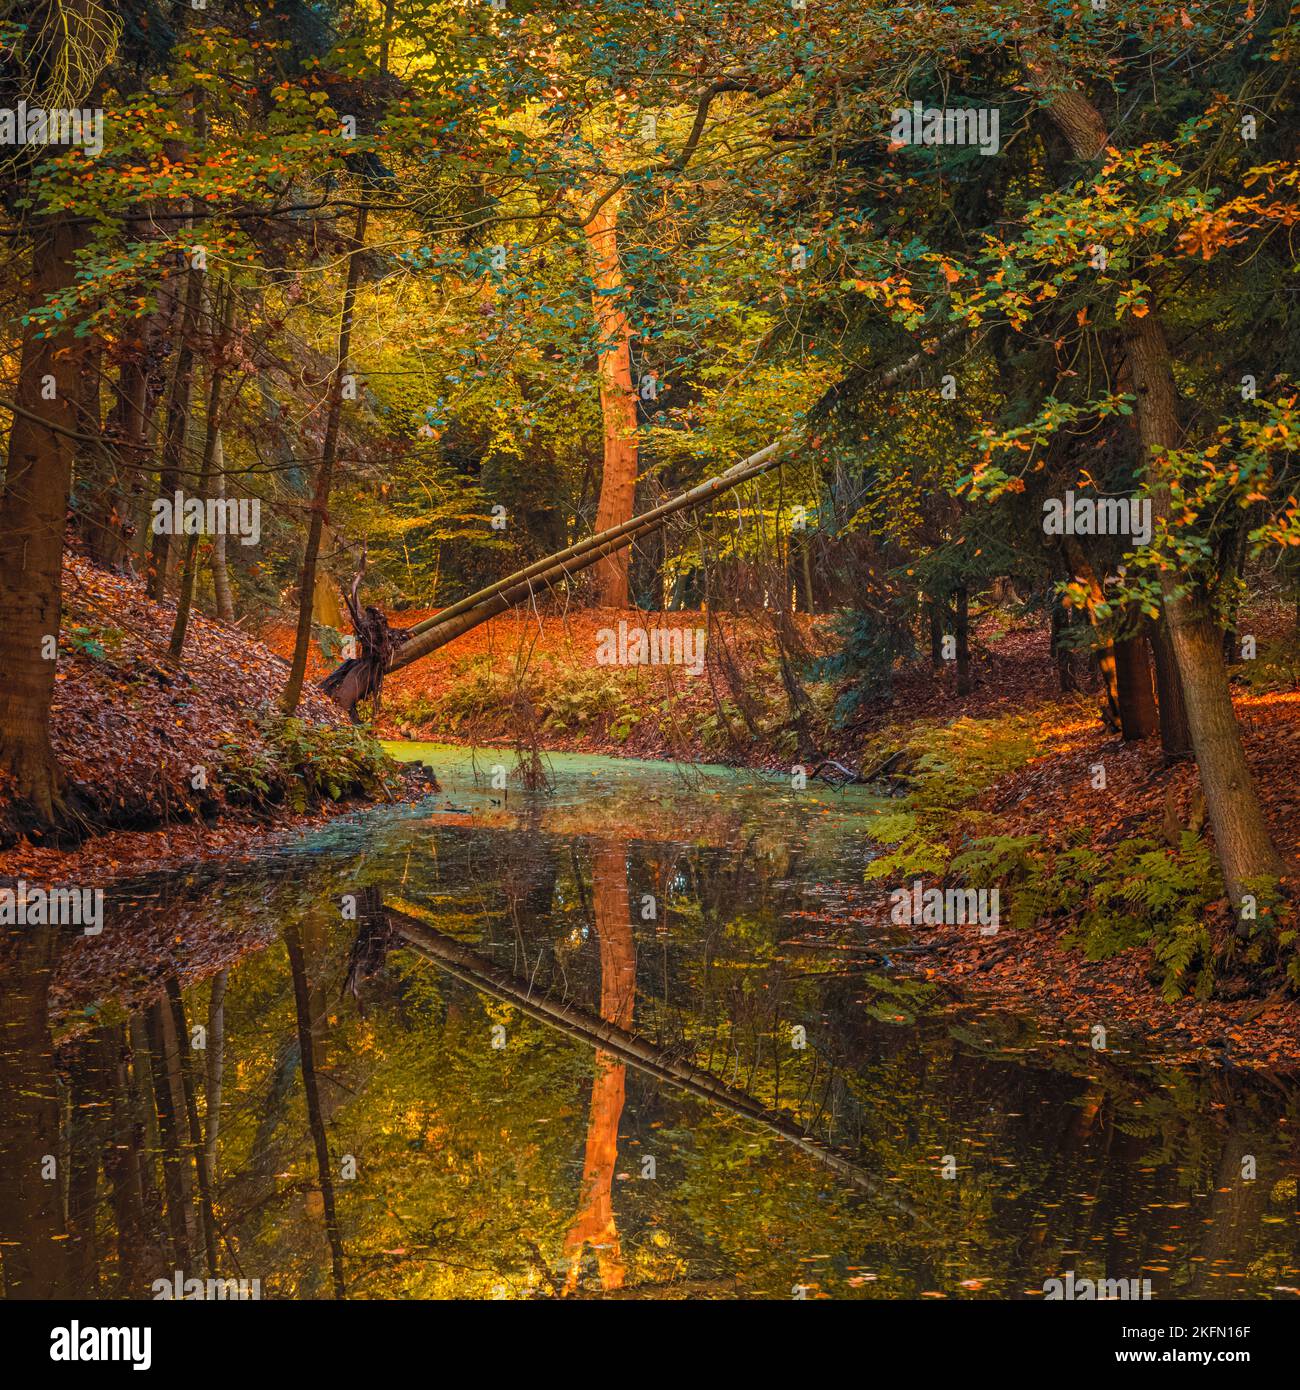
(618, 395)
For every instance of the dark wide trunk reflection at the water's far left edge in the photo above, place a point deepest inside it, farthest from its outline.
(35, 1253)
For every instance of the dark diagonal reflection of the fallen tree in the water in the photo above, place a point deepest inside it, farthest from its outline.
(478, 971)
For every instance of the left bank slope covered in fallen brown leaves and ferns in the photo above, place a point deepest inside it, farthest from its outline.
(149, 746)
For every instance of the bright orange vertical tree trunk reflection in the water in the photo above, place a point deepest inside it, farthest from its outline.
(594, 1223)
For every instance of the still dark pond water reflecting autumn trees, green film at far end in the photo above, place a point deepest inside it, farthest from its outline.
(606, 1038)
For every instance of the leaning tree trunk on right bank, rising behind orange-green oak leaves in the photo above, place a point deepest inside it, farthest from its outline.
(1251, 864)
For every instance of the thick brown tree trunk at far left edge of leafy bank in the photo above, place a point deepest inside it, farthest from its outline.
(33, 515)
